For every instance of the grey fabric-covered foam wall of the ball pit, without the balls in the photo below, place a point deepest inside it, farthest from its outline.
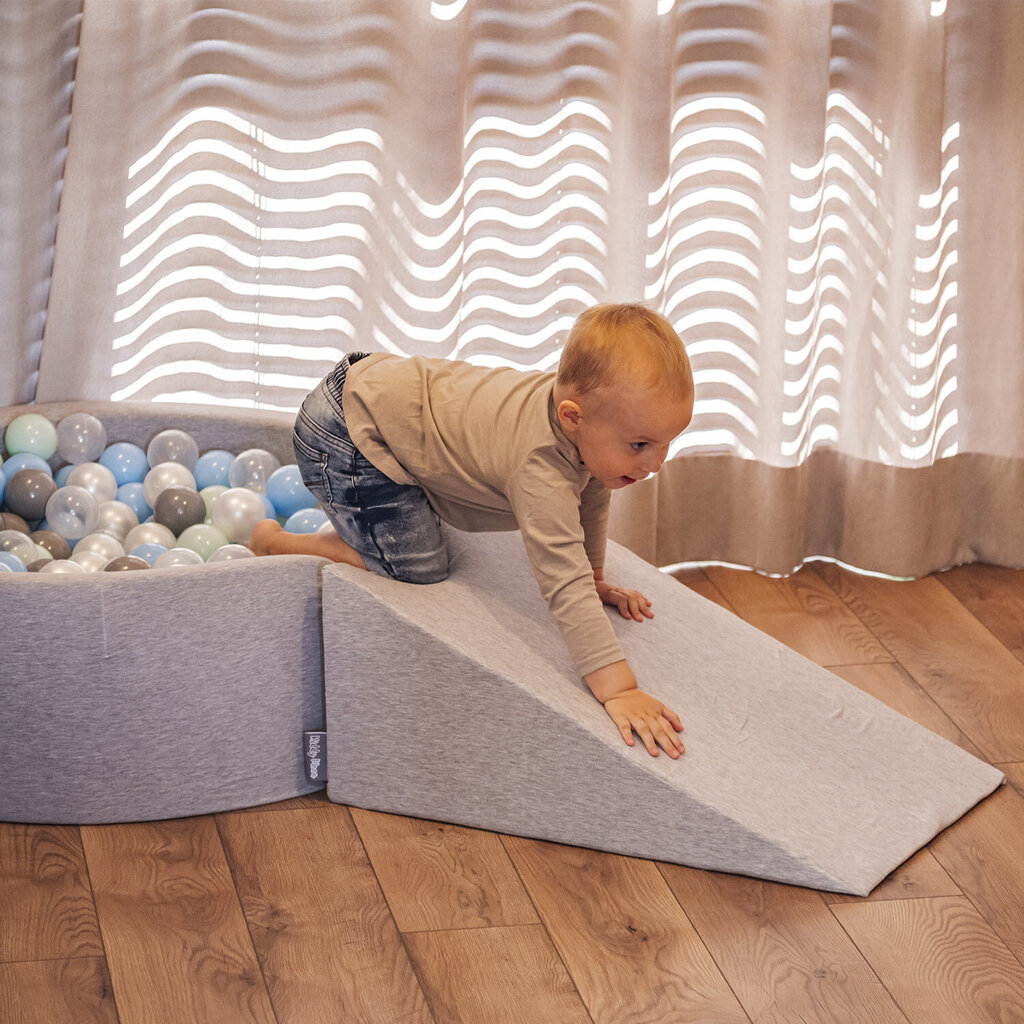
(136, 697)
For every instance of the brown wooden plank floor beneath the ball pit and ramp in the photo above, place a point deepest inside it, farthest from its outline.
(308, 912)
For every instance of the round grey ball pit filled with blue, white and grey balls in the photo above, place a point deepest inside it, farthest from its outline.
(159, 693)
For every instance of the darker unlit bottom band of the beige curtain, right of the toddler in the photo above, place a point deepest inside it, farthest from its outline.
(897, 521)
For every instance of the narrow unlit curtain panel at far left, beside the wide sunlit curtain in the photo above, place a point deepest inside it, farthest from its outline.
(38, 49)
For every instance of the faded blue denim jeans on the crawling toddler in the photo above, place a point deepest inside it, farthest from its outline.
(391, 525)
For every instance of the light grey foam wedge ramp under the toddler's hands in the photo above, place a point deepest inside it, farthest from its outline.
(458, 703)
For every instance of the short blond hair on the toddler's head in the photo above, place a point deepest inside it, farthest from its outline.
(616, 344)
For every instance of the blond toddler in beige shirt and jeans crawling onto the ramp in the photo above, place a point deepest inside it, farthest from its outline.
(390, 445)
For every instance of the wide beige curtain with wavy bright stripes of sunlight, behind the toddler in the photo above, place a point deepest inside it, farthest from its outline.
(819, 194)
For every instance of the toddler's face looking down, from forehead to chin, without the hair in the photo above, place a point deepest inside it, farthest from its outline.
(624, 436)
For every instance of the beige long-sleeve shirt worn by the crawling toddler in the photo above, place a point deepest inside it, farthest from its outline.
(487, 448)
